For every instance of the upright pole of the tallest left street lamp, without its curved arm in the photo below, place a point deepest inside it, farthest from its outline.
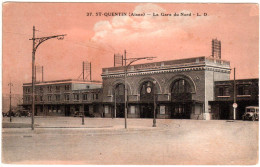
(33, 79)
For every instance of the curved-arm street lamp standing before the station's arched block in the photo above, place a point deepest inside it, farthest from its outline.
(131, 60)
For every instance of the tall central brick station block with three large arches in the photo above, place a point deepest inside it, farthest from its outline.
(178, 88)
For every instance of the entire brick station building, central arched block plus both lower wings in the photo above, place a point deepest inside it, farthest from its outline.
(193, 88)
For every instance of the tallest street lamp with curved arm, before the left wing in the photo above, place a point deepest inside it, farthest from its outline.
(36, 43)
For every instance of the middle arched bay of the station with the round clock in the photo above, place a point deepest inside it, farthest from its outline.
(147, 95)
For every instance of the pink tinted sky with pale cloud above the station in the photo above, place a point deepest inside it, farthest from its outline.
(96, 39)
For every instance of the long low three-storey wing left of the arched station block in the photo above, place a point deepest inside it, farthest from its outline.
(64, 97)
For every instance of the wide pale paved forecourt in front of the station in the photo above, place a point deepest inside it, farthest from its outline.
(63, 140)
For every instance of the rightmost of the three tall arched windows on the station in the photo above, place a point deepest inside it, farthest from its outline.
(181, 104)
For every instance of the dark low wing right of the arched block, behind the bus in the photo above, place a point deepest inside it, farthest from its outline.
(246, 93)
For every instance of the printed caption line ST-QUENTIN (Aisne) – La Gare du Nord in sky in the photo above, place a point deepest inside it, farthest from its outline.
(108, 14)
